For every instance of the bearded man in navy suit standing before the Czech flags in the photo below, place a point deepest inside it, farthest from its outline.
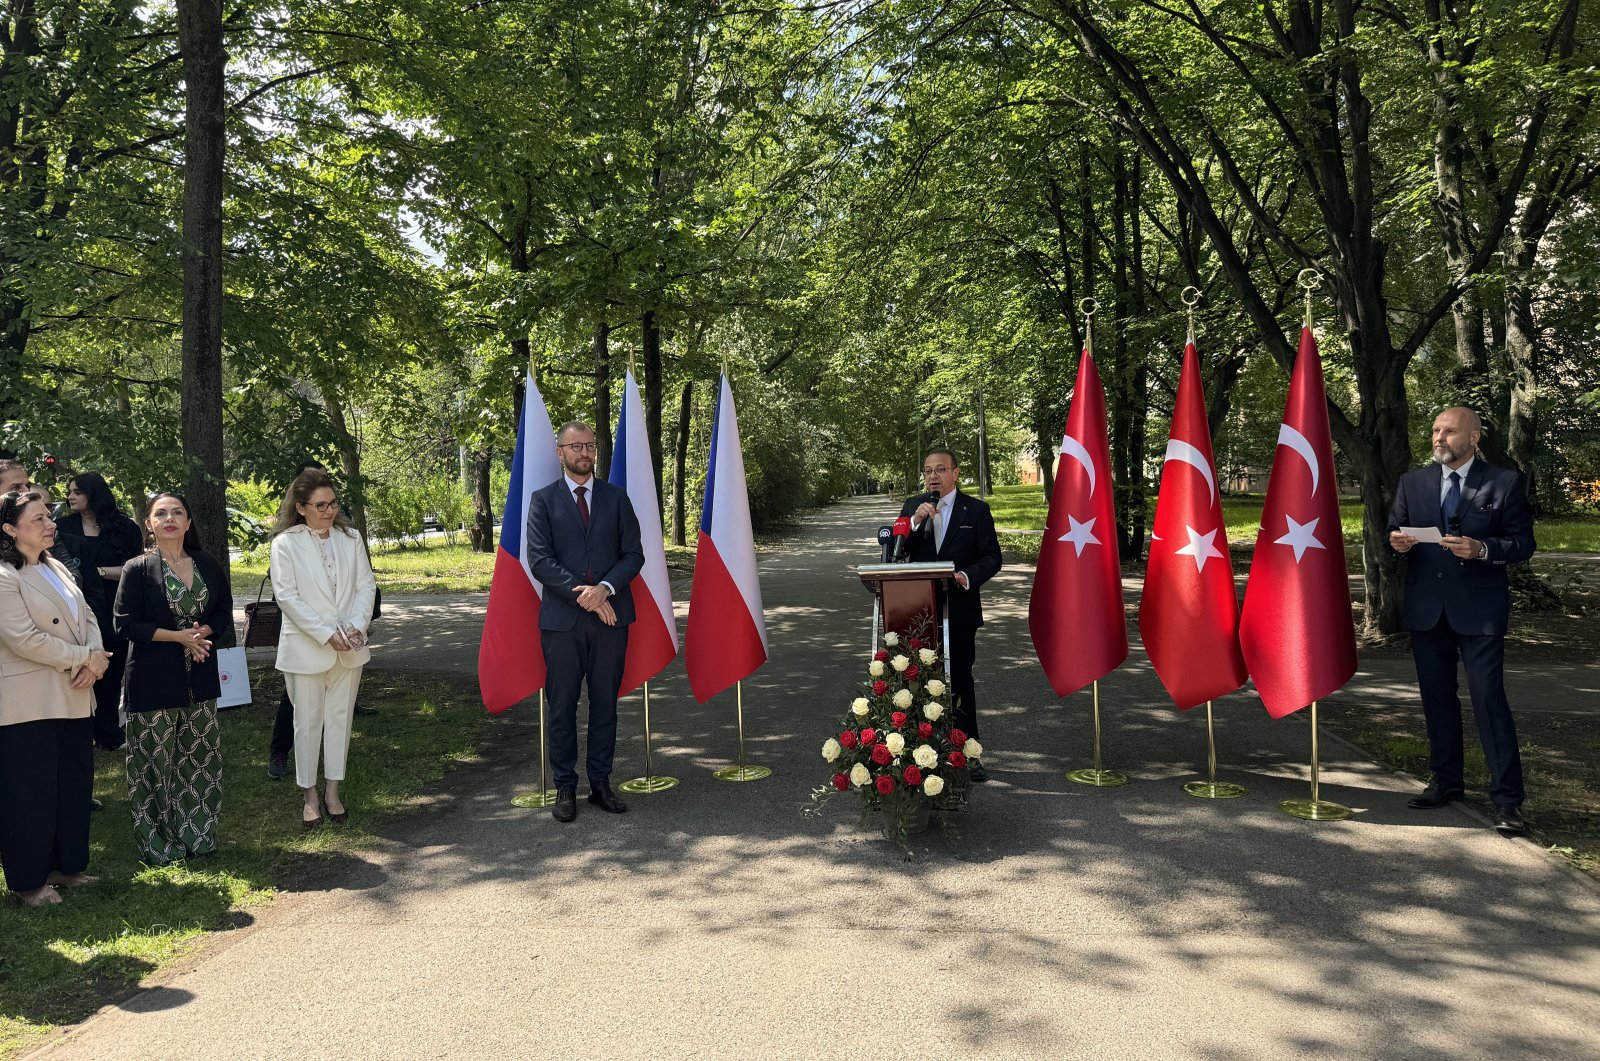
(585, 550)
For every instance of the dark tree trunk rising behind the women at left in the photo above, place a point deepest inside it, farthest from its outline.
(206, 138)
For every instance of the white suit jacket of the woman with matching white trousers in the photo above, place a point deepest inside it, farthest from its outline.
(313, 609)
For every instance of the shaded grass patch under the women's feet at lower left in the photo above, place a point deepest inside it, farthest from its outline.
(60, 964)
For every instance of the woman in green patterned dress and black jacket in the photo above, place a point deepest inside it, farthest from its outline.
(175, 607)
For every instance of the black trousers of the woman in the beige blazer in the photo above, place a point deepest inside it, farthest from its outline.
(47, 780)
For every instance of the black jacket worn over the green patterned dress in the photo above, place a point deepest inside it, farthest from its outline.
(158, 678)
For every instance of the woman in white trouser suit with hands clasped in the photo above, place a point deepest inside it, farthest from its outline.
(324, 585)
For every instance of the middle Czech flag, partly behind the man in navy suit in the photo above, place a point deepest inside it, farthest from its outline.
(654, 638)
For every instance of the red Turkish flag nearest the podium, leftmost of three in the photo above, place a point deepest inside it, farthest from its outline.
(1074, 612)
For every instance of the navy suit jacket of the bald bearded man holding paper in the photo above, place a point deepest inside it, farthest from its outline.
(1474, 596)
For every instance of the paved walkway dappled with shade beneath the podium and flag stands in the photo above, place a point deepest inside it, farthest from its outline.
(716, 923)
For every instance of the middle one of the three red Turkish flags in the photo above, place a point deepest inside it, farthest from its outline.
(1190, 614)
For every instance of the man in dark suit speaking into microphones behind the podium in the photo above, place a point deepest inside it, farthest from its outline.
(951, 526)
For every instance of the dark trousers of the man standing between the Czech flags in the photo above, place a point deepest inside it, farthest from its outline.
(590, 654)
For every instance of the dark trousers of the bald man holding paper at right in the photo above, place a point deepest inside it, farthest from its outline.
(1484, 655)
